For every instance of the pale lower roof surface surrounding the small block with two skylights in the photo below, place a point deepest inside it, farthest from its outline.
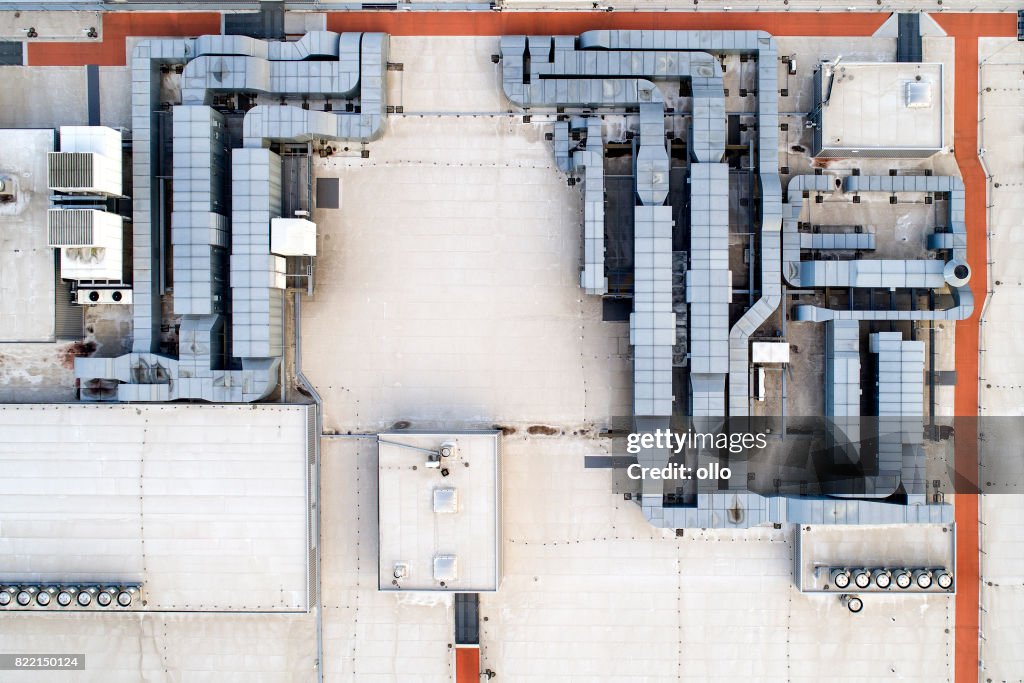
(593, 592)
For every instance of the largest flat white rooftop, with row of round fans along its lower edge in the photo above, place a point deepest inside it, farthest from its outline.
(205, 505)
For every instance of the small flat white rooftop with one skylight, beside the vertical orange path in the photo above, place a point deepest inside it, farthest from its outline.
(890, 106)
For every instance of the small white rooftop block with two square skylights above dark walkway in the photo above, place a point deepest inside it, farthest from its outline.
(440, 516)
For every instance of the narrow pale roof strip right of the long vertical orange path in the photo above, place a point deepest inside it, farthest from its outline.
(1002, 386)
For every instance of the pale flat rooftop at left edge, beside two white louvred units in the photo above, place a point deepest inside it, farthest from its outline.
(27, 263)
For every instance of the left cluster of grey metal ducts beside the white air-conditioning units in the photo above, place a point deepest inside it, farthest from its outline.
(200, 232)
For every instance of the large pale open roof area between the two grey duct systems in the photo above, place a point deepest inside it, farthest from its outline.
(468, 285)
